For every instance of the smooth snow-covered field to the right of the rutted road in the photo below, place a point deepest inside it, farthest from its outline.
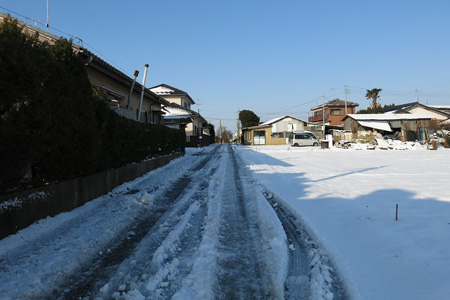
(347, 199)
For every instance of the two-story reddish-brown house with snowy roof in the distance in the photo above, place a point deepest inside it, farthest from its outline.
(331, 112)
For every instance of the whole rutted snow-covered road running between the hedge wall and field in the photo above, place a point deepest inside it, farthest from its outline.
(199, 228)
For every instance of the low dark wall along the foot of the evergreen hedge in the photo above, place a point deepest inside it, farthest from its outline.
(21, 209)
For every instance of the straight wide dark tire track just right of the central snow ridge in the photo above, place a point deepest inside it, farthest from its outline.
(239, 274)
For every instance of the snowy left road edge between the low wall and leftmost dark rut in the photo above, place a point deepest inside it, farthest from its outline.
(36, 258)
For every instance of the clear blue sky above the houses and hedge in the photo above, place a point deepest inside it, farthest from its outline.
(272, 57)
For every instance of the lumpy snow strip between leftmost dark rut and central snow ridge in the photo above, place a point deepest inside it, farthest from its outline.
(163, 257)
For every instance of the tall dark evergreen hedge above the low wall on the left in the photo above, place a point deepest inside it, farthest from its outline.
(54, 125)
